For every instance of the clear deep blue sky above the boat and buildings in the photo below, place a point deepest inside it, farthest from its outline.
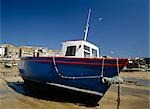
(122, 32)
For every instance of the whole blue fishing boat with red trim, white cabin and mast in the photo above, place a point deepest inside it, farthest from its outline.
(79, 68)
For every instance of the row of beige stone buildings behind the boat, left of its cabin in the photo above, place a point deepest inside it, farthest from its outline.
(11, 51)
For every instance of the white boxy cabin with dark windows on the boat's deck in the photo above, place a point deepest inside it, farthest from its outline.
(79, 49)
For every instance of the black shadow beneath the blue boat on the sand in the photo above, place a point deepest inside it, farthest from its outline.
(53, 94)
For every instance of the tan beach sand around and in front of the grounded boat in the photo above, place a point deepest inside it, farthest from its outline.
(135, 94)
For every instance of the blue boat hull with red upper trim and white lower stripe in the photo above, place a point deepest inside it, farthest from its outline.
(79, 74)
